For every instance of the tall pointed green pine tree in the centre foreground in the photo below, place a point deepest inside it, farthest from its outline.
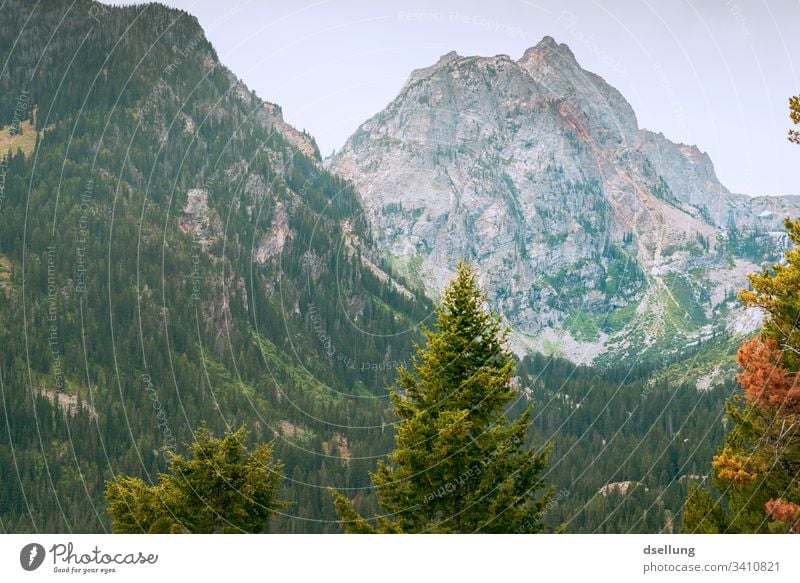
(459, 464)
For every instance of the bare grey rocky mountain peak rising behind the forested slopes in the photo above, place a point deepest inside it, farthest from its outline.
(594, 237)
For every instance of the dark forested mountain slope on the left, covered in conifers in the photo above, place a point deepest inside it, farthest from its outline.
(173, 254)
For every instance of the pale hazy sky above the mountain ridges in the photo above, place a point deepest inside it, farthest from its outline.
(713, 73)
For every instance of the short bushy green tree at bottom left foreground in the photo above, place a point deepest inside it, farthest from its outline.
(220, 488)
